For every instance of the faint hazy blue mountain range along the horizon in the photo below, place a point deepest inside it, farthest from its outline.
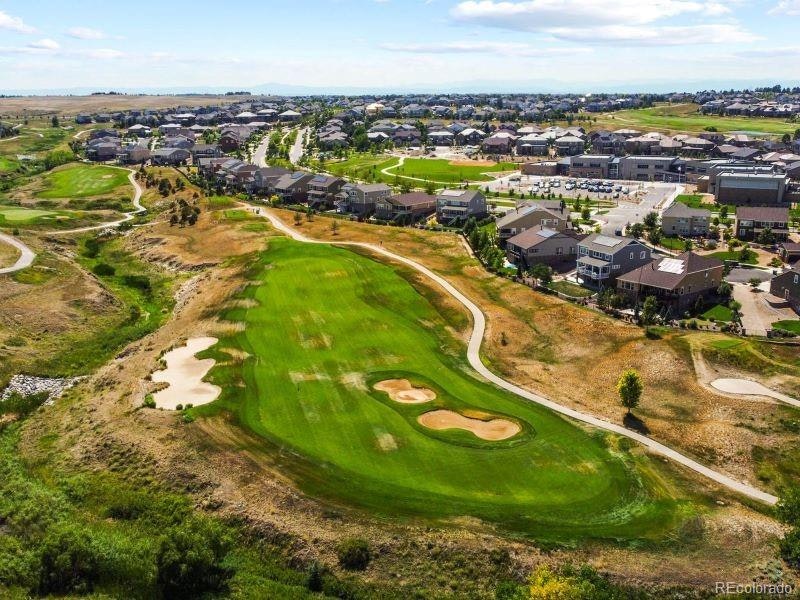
(465, 87)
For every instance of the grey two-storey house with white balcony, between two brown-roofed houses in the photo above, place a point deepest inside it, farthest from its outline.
(602, 258)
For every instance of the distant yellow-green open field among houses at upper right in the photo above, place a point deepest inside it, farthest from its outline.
(684, 118)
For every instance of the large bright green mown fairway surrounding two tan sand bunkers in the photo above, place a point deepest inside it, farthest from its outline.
(327, 324)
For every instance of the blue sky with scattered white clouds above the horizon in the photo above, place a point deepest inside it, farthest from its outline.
(382, 44)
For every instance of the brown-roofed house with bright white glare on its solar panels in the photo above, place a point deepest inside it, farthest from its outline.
(677, 283)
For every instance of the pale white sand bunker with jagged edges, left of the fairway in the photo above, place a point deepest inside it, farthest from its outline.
(184, 374)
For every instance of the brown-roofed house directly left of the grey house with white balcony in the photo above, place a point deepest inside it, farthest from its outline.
(542, 245)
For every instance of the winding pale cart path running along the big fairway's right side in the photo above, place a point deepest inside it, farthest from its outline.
(473, 355)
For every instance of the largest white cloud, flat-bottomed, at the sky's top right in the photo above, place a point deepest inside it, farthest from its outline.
(625, 22)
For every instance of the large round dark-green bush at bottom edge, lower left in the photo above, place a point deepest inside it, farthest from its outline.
(190, 560)
